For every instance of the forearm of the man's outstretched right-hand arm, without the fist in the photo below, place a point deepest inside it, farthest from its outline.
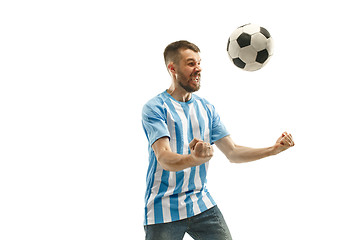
(240, 154)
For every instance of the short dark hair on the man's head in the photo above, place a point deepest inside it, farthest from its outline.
(172, 54)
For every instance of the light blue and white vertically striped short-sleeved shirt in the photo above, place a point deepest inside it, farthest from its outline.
(172, 196)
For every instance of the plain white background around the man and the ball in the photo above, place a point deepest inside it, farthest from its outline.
(75, 75)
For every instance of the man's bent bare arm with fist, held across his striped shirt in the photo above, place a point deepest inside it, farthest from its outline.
(201, 152)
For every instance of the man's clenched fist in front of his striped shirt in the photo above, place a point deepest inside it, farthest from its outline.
(200, 150)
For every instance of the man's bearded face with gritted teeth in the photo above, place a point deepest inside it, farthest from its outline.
(188, 70)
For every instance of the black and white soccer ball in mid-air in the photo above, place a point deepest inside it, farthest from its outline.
(250, 47)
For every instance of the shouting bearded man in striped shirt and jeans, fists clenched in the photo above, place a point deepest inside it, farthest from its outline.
(181, 128)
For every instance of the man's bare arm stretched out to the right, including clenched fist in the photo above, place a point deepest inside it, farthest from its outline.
(240, 154)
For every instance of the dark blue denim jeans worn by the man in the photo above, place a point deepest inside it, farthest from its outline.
(209, 225)
